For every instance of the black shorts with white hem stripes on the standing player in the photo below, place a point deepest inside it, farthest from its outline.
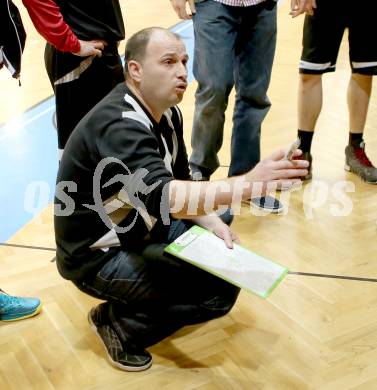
(324, 30)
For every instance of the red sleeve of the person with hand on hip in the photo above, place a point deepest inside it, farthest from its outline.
(49, 22)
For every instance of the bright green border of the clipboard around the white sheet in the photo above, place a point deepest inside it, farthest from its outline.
(175, 249)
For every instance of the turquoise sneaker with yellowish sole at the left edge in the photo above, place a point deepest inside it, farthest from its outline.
(17, 308)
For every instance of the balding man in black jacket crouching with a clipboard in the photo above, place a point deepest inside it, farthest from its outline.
(122, 175)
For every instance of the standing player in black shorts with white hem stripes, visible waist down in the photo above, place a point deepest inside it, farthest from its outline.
(322, 36)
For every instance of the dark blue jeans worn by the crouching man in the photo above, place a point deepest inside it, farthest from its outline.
(150, 295)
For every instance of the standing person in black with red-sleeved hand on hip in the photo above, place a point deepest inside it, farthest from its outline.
(81, 55)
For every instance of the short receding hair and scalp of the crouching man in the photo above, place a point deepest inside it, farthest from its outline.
(136, 46)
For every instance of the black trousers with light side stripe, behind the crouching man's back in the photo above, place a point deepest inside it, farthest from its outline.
(79, 84)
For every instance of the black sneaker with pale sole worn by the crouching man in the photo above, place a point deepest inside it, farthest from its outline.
(127, 358)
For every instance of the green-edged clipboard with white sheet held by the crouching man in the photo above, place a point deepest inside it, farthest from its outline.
(239, 266)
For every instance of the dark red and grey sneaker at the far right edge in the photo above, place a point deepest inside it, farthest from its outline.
(358, 163)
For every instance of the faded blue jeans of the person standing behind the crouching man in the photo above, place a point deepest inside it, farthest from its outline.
(234, 46)
